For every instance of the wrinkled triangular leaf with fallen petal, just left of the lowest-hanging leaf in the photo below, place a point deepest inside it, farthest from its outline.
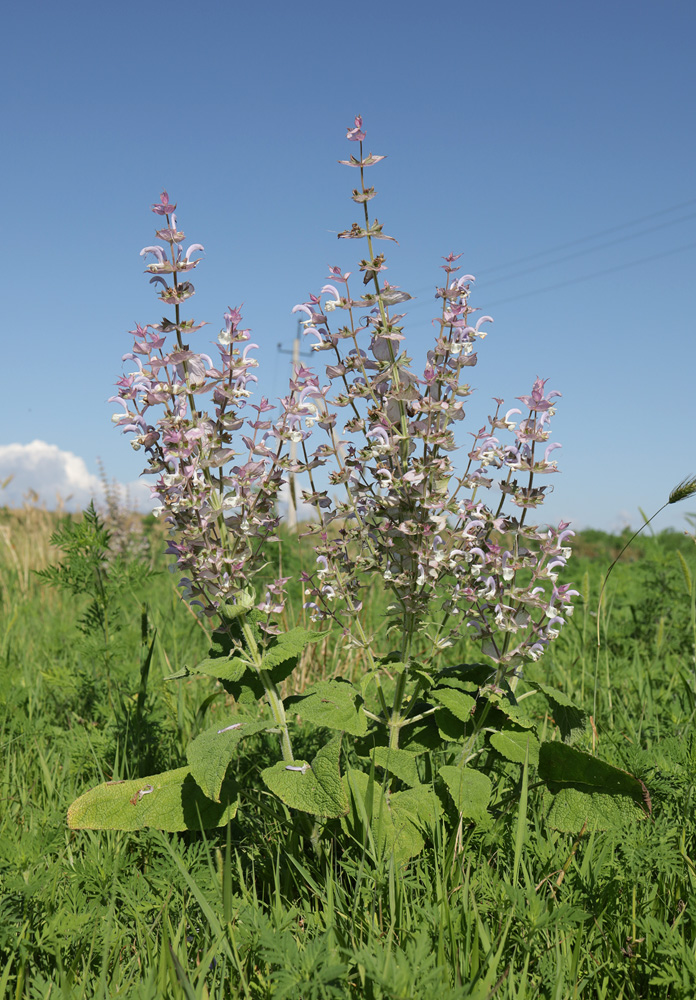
(315, 788)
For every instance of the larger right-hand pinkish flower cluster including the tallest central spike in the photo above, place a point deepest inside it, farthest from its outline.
(453, 564)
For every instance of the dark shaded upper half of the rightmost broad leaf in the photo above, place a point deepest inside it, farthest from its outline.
(563, 766)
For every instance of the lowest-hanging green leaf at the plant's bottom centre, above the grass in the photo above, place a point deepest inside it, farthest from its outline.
(372, 821)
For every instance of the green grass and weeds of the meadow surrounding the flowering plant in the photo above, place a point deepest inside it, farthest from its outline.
(510, 909)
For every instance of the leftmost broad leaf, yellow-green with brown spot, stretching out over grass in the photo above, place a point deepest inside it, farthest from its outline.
(169, 801)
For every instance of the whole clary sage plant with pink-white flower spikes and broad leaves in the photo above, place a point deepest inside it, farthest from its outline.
(446, 530)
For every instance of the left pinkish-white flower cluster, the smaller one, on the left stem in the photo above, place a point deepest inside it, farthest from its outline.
(219, 499)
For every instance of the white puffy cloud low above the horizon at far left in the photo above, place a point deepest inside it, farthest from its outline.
(58, 478)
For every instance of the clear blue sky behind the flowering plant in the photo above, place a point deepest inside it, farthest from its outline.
(551, 143)
